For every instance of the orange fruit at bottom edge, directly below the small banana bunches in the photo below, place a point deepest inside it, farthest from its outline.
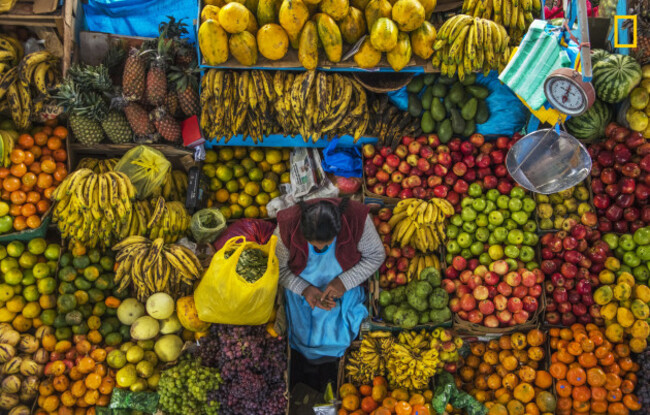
(376, 399)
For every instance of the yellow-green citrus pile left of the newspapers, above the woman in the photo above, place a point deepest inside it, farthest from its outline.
(245, 179)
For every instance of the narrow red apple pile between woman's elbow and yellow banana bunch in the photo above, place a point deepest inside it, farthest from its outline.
(394, 271)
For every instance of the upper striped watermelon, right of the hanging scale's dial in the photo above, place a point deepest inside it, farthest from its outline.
(615, 76)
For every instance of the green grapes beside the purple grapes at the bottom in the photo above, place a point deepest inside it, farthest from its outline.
(185, 389)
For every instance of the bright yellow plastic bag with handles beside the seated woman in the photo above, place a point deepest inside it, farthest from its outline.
(225, 297)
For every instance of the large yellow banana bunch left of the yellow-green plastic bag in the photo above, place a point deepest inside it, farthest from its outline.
(94, 209)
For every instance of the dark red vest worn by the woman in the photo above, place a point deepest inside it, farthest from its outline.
(352, 223)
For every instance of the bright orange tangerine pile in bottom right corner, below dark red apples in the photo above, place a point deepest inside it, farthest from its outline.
(591, 374)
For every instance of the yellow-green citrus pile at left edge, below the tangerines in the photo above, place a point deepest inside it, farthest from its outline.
(27, 286)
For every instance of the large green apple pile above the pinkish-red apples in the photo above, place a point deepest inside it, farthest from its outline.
(493, 226)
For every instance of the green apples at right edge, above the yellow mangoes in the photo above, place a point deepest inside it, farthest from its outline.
(633, 251)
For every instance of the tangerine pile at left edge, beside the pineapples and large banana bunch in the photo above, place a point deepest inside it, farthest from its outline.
(38, 165)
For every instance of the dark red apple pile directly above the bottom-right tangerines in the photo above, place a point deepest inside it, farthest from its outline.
(572, 261)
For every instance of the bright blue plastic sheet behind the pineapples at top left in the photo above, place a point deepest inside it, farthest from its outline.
(138, 17)
